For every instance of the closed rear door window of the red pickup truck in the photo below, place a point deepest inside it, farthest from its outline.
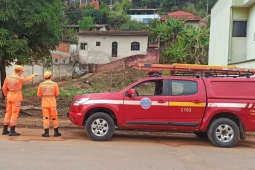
(184, 87)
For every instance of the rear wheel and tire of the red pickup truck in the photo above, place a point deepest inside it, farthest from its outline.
(223, 132)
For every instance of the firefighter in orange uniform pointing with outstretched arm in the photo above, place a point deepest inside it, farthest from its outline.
(12, 90)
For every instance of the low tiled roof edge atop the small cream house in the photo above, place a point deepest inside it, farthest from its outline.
(114, 32)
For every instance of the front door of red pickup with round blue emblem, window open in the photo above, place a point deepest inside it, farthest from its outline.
(149, 106)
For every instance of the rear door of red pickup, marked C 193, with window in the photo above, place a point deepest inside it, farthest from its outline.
(187, 102)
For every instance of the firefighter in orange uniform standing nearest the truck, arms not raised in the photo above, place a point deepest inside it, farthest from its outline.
(48, 90)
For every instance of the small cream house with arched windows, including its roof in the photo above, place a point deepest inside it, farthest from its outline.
(101, 47)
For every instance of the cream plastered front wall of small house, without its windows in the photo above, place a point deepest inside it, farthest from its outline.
(103, 54)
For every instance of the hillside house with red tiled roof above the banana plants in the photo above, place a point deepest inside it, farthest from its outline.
(190, 18)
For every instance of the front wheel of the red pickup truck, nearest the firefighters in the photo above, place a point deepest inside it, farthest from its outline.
(99, 127)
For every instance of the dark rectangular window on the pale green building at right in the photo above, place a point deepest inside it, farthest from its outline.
(239, 28)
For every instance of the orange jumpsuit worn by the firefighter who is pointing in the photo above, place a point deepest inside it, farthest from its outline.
(12, 90)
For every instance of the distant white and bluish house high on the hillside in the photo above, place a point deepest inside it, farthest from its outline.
(143, 15)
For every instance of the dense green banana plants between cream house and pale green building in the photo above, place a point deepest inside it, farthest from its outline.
(181, 44)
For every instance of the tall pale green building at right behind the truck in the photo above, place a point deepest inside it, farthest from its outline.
(232, 33)
